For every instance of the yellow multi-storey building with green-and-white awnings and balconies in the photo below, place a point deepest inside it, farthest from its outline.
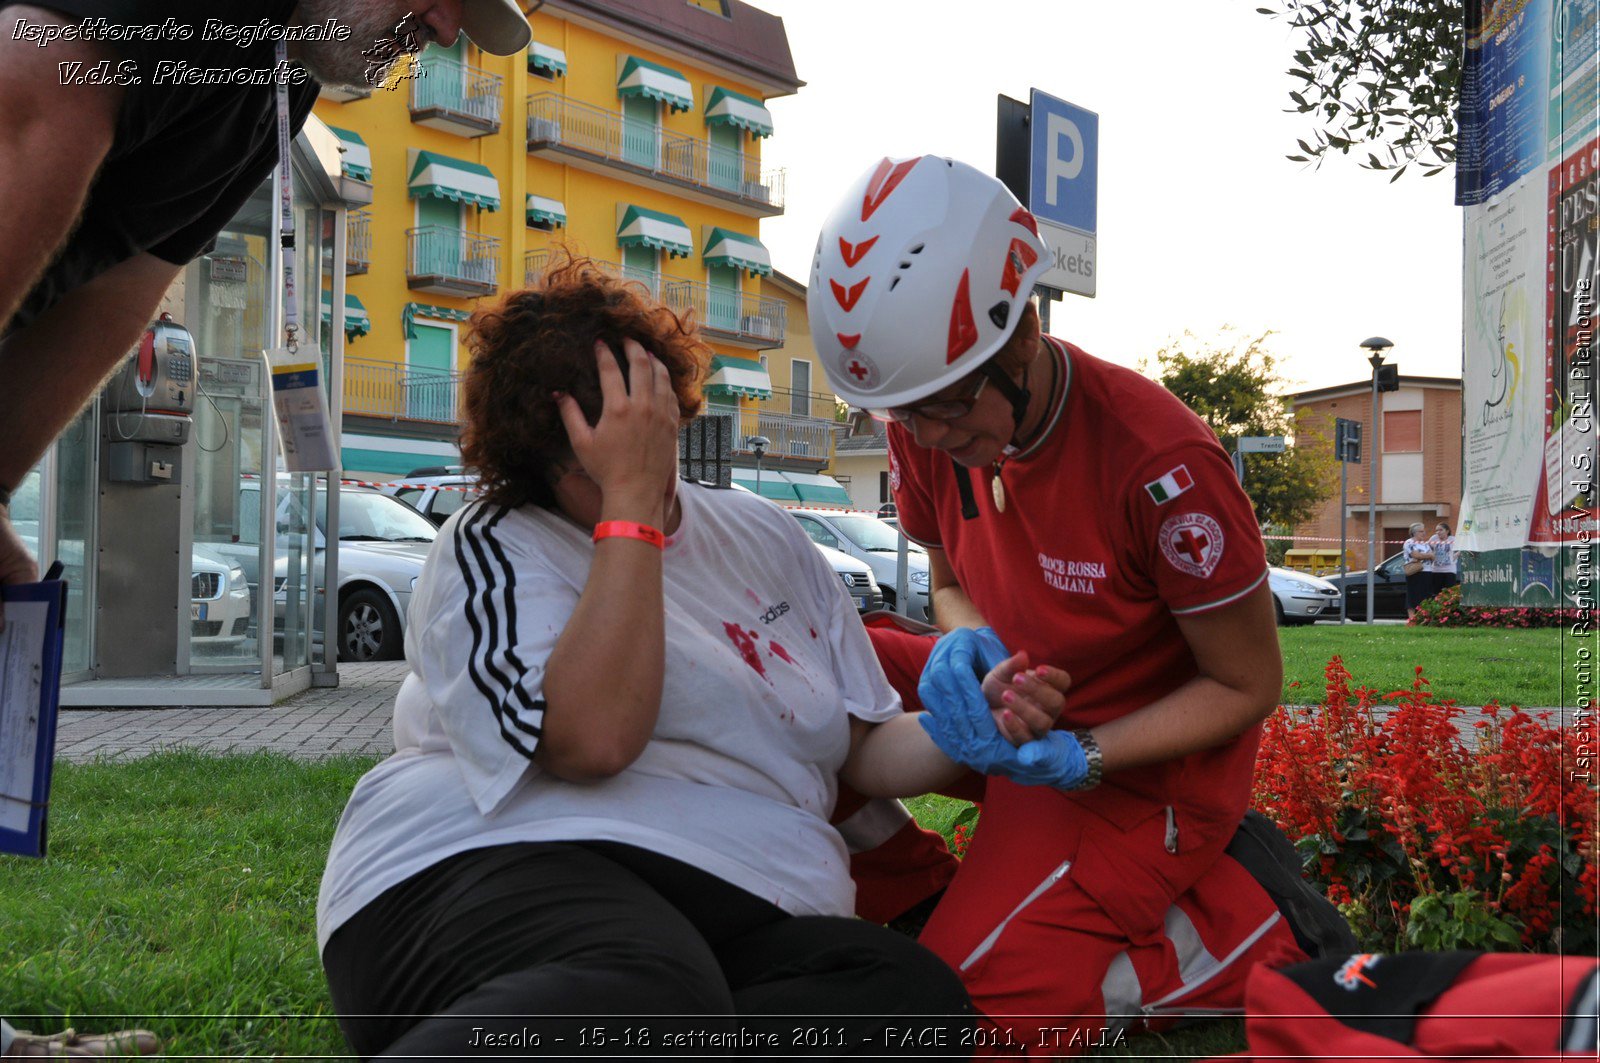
(631, 132)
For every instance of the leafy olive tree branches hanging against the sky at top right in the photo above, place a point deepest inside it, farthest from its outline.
(1380, 78)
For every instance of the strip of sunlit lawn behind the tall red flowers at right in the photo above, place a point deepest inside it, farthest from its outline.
(1471, 665)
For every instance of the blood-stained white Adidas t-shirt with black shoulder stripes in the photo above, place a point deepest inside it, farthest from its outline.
(766, 659)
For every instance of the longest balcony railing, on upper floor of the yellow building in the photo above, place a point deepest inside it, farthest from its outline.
(558, 122)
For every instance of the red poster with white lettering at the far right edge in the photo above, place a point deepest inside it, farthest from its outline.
(1564, 508)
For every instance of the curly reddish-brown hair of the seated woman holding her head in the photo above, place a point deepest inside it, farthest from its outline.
(540, 342)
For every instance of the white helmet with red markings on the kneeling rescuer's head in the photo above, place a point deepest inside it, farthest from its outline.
(919, 278)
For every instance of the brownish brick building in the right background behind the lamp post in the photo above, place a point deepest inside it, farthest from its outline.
(1418, 470)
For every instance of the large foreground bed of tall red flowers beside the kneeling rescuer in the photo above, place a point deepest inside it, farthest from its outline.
(1431, 830)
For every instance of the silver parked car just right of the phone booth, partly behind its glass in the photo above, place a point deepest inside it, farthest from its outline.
(383, 545)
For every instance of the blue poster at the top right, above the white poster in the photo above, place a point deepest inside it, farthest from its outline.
(1505, 76)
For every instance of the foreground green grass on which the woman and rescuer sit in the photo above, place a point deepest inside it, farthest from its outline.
(180, 894)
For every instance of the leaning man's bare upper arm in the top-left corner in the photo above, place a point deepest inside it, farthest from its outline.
(54, 138)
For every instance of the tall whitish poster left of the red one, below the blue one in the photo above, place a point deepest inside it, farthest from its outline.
(1503, 385)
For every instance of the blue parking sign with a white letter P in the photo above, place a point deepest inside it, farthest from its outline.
(1065, 162)
